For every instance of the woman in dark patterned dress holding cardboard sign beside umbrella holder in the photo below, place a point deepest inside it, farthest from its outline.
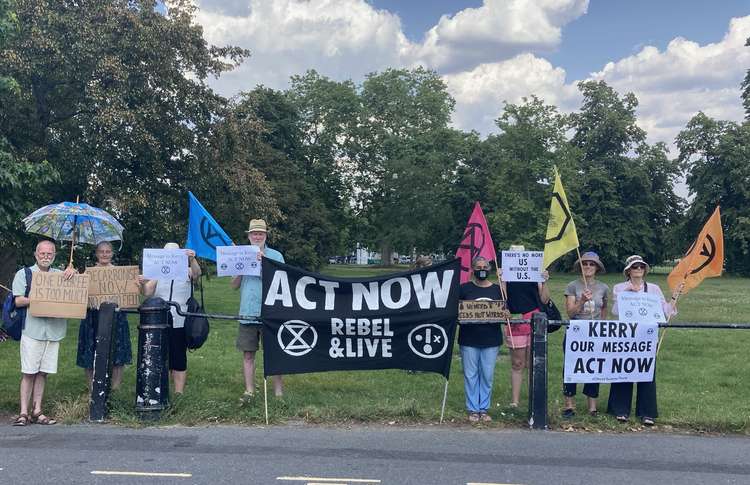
(122, 353)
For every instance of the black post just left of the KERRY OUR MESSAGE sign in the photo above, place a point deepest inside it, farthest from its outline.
(538, 374)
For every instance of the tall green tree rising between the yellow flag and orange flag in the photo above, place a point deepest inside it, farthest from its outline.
(626, 191)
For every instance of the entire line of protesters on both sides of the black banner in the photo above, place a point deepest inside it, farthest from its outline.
(585, 298)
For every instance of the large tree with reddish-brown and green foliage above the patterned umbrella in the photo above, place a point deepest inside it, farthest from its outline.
(114, 96)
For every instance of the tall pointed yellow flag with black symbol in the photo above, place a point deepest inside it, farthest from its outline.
(561, 230)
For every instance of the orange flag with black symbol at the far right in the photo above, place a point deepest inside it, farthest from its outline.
(704, 259)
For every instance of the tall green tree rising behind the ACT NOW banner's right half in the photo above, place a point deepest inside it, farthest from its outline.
(406, 160)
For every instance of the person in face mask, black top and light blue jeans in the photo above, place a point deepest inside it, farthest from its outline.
(479, 344)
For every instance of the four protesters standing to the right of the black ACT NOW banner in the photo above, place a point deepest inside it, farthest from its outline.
(586, 298)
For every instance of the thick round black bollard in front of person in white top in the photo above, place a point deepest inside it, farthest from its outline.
(152, 376)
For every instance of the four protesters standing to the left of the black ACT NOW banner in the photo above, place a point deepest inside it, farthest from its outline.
(41, 336)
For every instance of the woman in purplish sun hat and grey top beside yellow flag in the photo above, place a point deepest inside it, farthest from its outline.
(585, 299)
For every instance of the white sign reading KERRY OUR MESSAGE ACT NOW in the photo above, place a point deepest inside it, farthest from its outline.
(610, 351)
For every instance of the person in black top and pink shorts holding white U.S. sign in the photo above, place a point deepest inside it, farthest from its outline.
(524, 298)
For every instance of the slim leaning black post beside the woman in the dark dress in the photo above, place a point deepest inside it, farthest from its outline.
(102, 379)
